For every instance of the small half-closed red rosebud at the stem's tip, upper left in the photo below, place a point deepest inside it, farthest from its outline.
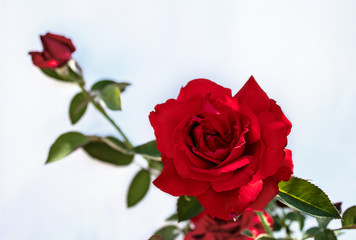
(57, 51)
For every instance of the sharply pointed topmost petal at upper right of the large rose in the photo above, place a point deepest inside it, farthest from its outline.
(253, 96)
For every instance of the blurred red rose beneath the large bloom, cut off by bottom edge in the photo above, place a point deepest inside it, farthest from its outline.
(208, 228)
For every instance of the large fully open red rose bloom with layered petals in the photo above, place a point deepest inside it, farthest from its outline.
(228, 151)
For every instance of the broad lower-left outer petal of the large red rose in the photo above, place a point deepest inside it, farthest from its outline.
(171, 182)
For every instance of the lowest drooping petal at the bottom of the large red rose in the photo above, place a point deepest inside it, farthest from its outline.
(222, 204)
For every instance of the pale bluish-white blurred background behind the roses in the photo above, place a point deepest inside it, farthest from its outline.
(302, 53)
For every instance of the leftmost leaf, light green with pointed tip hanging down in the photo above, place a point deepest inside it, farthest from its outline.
(65, 144)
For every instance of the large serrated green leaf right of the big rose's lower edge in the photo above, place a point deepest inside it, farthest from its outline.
(304, 196)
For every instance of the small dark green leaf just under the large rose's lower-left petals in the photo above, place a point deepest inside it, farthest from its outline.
(188, 207)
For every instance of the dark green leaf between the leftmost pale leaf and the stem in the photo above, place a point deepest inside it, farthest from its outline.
(101, 150)
